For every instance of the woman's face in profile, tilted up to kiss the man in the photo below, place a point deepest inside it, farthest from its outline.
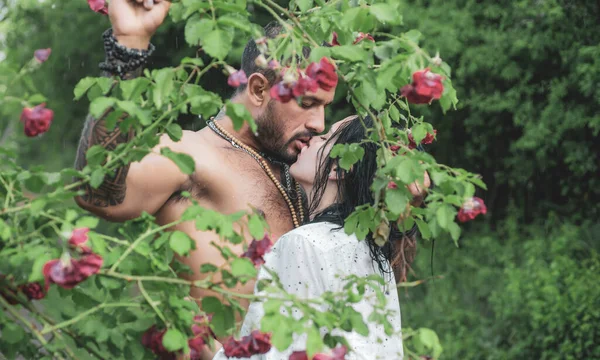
(312, 156)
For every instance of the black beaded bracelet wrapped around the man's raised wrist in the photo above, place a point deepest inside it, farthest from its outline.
(120, 59)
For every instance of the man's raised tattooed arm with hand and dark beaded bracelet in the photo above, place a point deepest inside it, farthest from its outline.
(142, 186)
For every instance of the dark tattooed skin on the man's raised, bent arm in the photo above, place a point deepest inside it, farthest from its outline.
(112, 191)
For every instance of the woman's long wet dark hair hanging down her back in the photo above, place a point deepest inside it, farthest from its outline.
(354, 189)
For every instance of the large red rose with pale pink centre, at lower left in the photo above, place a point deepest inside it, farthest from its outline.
(68, 273)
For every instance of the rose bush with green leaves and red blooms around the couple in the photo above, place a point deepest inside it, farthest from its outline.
(118, 295)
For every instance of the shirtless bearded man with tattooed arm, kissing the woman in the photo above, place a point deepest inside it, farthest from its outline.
(227, 178)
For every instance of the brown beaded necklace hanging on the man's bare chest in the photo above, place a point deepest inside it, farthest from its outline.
(265, 166)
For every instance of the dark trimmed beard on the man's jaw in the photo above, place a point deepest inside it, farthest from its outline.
(271, 136)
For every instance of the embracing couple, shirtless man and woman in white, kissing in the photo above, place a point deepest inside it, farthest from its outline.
(238, 170)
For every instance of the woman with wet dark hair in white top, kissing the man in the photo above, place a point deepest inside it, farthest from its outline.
(315, 257)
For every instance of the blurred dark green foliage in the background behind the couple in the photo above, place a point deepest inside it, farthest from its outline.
(523, 283)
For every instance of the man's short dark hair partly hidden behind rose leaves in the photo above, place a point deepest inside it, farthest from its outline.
(251, 52)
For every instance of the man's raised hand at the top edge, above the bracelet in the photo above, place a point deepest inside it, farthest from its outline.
(135, 21)
